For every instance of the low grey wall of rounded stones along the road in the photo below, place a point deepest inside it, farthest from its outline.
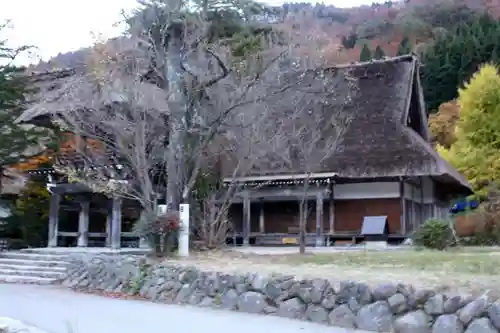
(385, 308)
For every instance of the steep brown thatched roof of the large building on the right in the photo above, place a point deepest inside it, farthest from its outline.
(378, 142)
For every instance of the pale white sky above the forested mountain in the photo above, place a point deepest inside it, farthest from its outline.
(55, 26)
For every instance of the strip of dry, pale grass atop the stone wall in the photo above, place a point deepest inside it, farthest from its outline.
(473, 270)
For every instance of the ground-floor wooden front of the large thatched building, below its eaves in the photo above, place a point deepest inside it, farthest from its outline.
(336, 208)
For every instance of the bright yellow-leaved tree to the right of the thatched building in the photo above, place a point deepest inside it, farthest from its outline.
(476, 149)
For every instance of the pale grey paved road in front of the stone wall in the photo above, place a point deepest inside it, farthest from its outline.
(59, 310)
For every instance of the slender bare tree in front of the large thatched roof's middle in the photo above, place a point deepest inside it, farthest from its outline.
(314, 120)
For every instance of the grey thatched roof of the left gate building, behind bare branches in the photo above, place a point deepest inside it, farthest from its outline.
(71, 81)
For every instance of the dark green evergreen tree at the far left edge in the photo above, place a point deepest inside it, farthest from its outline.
(17, 142)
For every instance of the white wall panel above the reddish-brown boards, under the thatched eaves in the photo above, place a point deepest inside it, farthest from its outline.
(373, 190)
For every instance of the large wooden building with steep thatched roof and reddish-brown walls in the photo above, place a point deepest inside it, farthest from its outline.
(384, 166)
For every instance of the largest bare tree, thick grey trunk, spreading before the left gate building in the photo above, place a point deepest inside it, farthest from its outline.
(158, 102)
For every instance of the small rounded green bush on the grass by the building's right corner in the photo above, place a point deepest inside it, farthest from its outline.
(434, 234)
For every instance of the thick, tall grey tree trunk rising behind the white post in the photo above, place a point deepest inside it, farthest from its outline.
(177, 131)
